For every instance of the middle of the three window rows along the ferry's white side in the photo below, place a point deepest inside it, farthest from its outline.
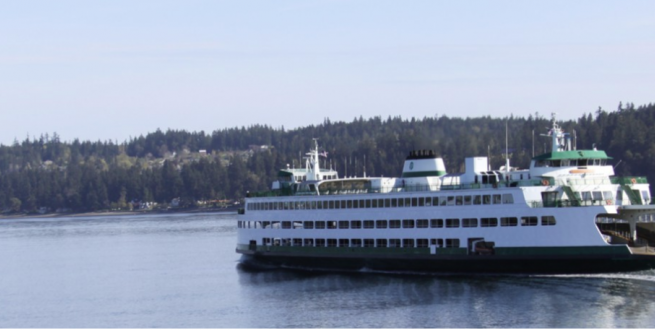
(406, 223)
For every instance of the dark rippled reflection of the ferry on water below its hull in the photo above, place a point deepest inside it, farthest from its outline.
(384, 300)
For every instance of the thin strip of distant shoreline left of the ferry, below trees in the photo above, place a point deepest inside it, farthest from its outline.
(116, 213)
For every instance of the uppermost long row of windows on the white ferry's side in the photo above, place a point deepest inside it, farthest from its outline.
(385, 202)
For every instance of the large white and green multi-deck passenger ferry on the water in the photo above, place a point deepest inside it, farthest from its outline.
(567, 214)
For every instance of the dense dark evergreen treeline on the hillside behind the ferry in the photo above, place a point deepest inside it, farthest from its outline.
(160, 166)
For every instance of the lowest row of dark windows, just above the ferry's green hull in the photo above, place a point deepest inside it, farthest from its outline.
(366, 242)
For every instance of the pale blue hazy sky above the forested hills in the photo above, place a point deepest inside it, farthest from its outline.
(114, 70)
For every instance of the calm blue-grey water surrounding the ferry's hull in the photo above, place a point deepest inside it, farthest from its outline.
(181, 271)
